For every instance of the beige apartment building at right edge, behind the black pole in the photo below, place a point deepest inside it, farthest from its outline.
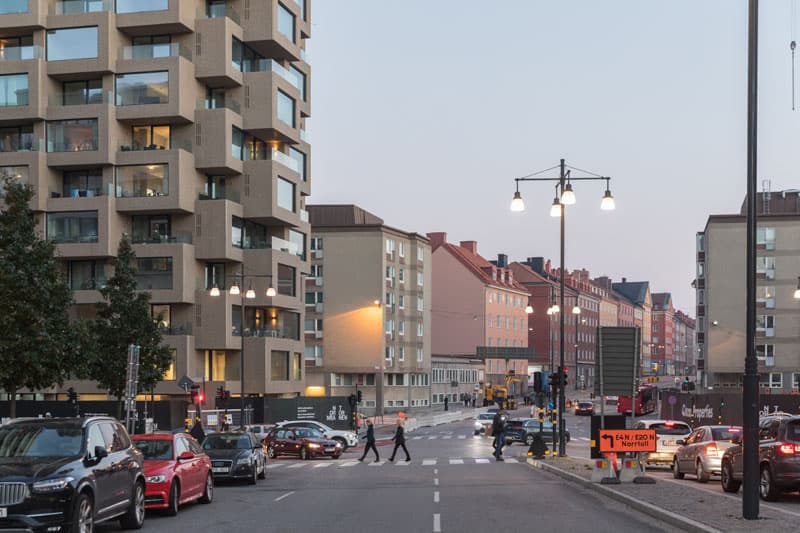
(721, 298)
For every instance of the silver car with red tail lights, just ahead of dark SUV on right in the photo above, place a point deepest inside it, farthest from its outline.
(701, 452)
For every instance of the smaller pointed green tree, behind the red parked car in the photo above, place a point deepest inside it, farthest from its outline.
(123, 318)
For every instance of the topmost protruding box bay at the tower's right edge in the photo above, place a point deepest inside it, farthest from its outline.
(260, 25)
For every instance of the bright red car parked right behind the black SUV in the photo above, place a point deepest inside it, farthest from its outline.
(176, 470)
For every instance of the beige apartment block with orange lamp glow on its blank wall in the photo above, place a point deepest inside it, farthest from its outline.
(368, 310)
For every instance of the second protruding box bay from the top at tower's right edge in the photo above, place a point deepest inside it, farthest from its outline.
(261, 117)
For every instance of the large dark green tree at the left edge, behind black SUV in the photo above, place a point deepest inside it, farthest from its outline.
(39, 348)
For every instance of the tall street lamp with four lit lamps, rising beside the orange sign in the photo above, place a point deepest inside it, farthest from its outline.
(564, 196)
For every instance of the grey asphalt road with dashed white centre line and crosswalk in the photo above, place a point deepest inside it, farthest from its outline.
(451, 484)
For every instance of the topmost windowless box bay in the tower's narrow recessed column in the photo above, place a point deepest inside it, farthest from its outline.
(213, 61)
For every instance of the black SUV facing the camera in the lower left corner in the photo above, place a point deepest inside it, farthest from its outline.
(69, 473)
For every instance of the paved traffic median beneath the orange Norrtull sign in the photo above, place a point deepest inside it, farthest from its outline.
(673, 502)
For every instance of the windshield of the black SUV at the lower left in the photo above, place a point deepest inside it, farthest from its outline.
(39, 440)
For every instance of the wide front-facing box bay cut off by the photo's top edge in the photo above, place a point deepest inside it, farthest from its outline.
(151, 17)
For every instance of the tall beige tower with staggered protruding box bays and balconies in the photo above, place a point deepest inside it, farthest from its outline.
(180, 123)
